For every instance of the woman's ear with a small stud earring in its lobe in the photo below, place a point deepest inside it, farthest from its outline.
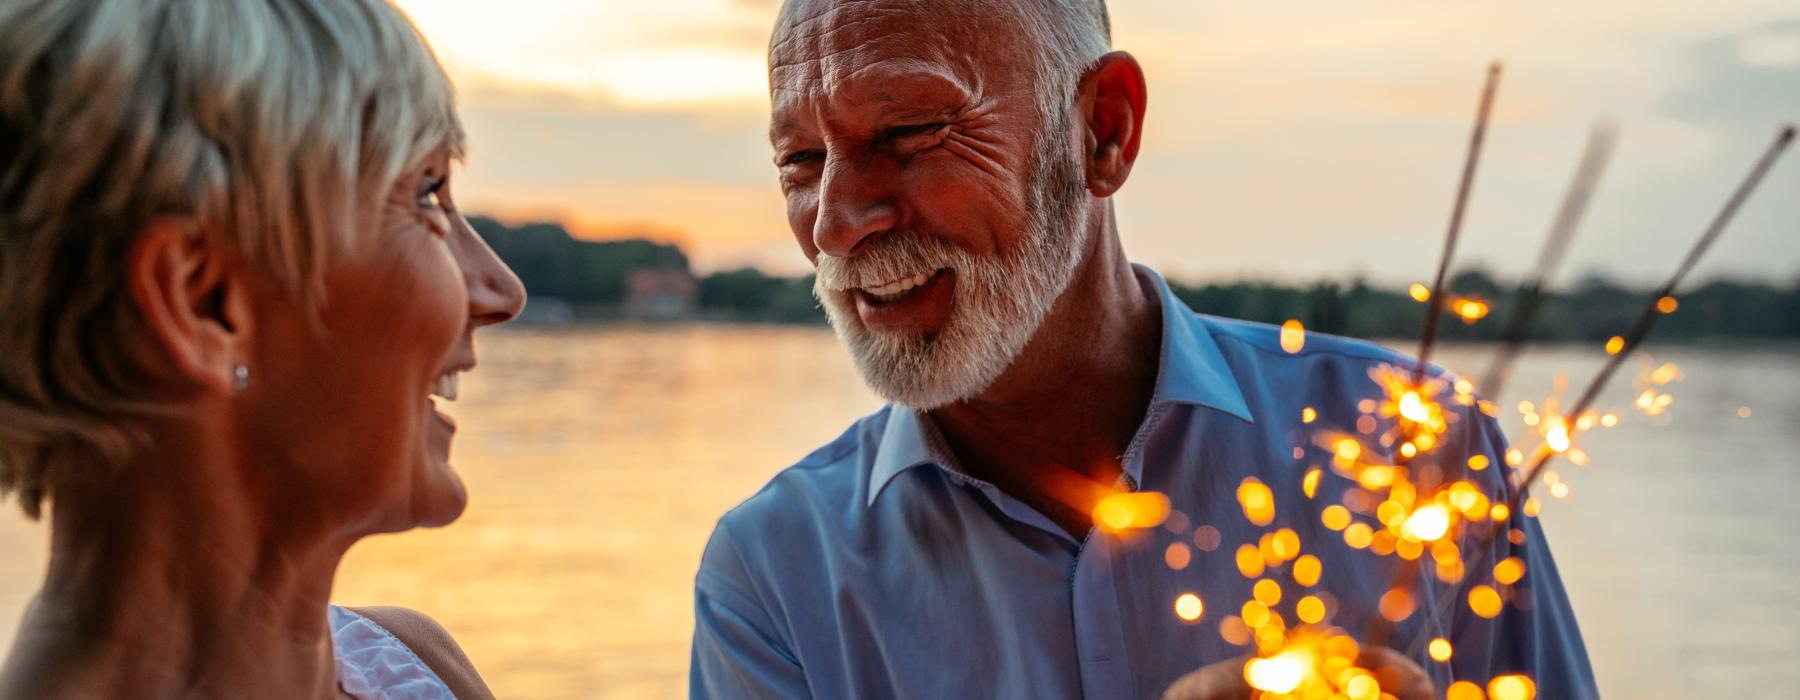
(190, 301)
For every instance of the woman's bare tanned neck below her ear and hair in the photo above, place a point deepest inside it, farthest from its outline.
(172, 580)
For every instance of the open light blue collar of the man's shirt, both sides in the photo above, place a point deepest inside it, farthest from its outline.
(1191, 370)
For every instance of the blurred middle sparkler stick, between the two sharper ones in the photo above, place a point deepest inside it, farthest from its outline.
(1561, 233)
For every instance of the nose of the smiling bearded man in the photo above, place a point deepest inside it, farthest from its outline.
(856, 202)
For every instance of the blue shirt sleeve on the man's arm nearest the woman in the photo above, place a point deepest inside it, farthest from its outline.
(737, 649)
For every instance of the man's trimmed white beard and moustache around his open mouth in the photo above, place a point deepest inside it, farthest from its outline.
(998, 307)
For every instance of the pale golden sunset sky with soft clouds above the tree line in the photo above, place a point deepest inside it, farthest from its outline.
(1284, 139)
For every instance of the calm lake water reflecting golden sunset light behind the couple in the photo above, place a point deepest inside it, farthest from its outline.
(600, 458)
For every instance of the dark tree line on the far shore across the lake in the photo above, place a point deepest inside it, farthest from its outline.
(593, 276)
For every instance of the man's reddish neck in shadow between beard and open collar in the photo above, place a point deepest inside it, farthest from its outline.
(1054, 429)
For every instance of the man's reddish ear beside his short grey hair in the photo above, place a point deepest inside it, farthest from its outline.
(1111, 102)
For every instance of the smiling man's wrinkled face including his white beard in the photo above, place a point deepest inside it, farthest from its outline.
(930, 188)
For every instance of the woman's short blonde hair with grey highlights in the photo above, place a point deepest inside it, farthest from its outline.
(269, 127)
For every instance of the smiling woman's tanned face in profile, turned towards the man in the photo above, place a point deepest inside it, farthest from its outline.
(348, 418)
